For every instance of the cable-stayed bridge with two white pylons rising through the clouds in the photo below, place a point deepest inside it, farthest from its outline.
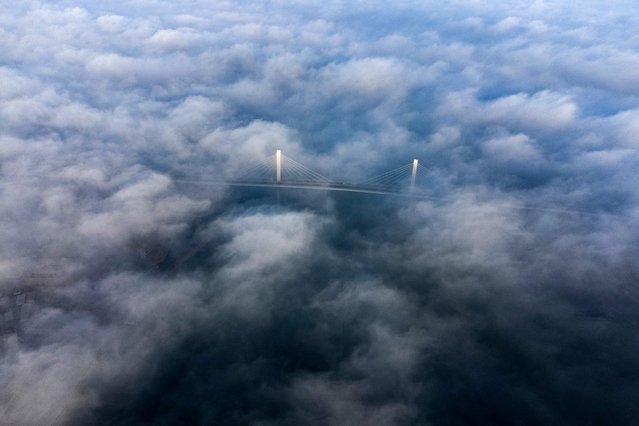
(281, 171)
